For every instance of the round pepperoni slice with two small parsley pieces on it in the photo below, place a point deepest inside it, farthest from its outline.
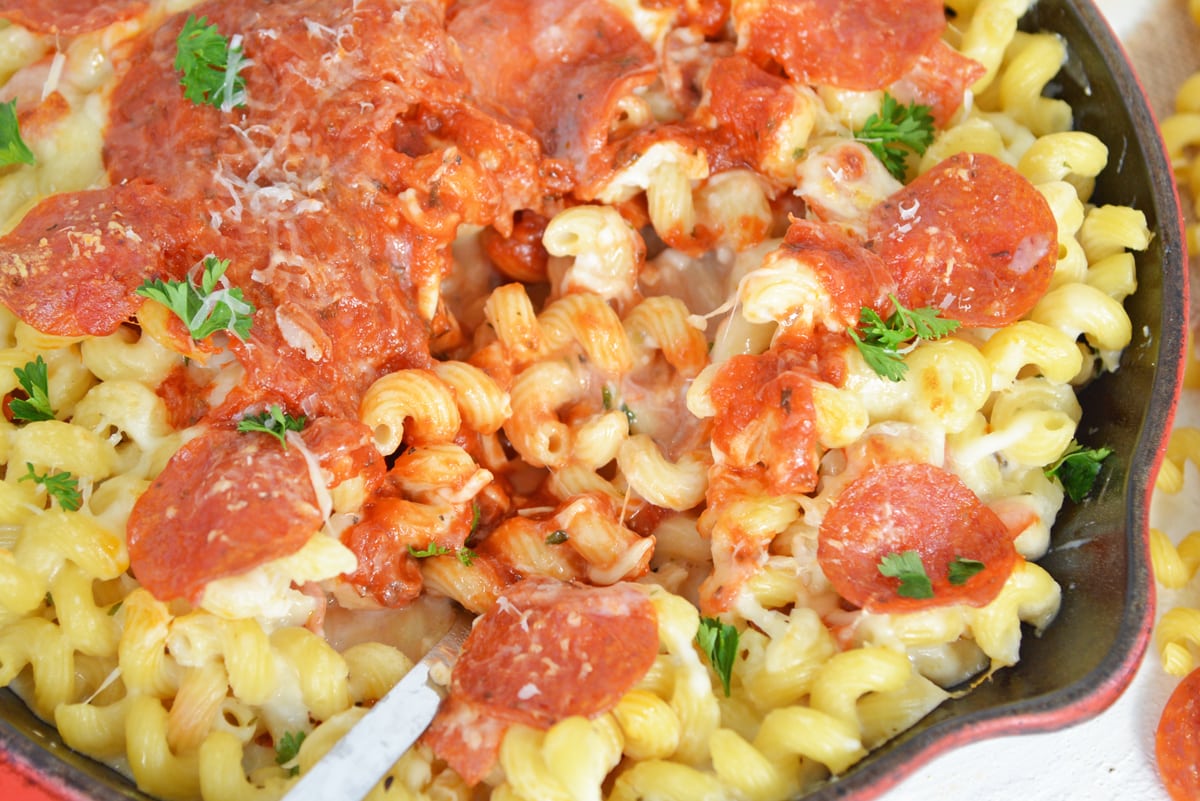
(913, 507)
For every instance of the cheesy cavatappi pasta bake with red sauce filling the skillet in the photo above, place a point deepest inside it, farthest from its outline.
(591, 328)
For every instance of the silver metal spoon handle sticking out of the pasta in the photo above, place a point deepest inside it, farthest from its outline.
(358, 761)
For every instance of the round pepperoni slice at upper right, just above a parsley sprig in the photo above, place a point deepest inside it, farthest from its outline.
(973, 238)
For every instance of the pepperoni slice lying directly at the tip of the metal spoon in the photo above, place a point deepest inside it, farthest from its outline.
(544, 653)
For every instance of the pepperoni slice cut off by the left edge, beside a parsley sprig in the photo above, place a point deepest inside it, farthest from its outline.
(71, 266)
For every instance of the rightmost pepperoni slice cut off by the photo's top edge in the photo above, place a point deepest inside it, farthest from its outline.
(849, 44)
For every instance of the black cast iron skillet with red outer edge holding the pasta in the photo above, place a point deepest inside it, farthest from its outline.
(1090, 654)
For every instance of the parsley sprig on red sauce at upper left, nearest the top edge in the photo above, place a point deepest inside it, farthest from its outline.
(212, 65)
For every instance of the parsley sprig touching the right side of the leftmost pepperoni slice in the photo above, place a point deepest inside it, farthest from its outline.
(205, 309)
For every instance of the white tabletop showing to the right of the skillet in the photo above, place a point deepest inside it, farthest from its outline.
(1111, 757)
